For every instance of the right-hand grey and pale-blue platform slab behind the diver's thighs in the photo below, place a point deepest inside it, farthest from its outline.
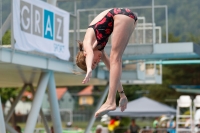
(160, 51)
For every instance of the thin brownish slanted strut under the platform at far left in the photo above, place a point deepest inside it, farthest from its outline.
(12, 109)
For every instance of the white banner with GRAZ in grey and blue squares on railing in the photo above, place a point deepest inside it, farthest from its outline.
(39, 26)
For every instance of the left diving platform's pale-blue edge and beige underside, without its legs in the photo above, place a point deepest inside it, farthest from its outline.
(18, 68)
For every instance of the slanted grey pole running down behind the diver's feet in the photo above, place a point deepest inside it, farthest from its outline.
(92, 120)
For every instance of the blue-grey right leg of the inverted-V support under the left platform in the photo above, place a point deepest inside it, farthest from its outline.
(55, 113)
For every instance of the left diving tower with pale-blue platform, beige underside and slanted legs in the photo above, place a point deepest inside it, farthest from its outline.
(20, 69)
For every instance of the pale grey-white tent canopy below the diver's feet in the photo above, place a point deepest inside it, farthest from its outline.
(144, 107)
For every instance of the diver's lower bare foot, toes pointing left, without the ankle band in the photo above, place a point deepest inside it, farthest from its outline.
(105, 108)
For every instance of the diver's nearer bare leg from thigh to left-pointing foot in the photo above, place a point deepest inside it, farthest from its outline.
(123, 28)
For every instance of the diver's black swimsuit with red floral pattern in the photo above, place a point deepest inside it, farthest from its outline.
(104, 27)
